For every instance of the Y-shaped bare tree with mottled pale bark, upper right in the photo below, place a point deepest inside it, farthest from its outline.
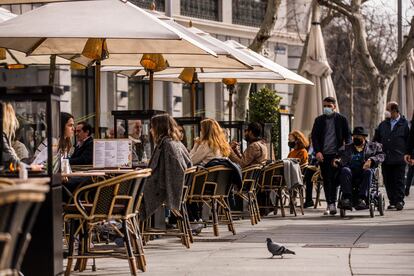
(379, 78)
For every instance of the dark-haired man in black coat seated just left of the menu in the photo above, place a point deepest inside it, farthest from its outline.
(83, 154)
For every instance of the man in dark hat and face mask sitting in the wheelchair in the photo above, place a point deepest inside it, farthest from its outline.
(357, 162)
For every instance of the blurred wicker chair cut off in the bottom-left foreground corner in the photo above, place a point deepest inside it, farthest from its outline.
(19, 205)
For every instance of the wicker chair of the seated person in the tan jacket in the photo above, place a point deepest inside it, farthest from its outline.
(250, 176)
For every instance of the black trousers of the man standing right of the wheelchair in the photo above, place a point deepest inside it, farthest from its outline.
(394, 182)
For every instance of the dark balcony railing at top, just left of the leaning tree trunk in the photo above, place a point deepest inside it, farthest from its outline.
(249, 12)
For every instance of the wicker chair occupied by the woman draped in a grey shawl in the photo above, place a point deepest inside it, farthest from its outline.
(183, 230)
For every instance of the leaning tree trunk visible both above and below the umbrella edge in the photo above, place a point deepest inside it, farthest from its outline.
(263, 35)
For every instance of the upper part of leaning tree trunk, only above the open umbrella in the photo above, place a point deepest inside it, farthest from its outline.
(267, 26)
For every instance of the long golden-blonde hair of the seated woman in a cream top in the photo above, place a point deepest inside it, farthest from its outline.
(213, 135)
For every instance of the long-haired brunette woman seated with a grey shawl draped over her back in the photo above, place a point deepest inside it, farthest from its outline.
(169, 161)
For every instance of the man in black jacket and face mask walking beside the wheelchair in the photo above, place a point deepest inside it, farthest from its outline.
(329, 133)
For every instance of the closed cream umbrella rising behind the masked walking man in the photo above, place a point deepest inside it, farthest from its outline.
(317, 70)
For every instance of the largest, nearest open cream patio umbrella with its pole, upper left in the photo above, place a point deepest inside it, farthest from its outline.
(98, 30)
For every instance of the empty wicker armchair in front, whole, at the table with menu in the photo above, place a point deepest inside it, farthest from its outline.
(118, 199)
